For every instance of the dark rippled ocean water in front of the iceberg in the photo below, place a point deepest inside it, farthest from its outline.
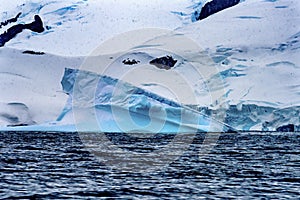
(57, 165)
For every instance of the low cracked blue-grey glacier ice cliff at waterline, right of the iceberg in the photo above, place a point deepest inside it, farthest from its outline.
(251, 117)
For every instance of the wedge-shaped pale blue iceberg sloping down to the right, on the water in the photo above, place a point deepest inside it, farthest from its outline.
(103, 104)
